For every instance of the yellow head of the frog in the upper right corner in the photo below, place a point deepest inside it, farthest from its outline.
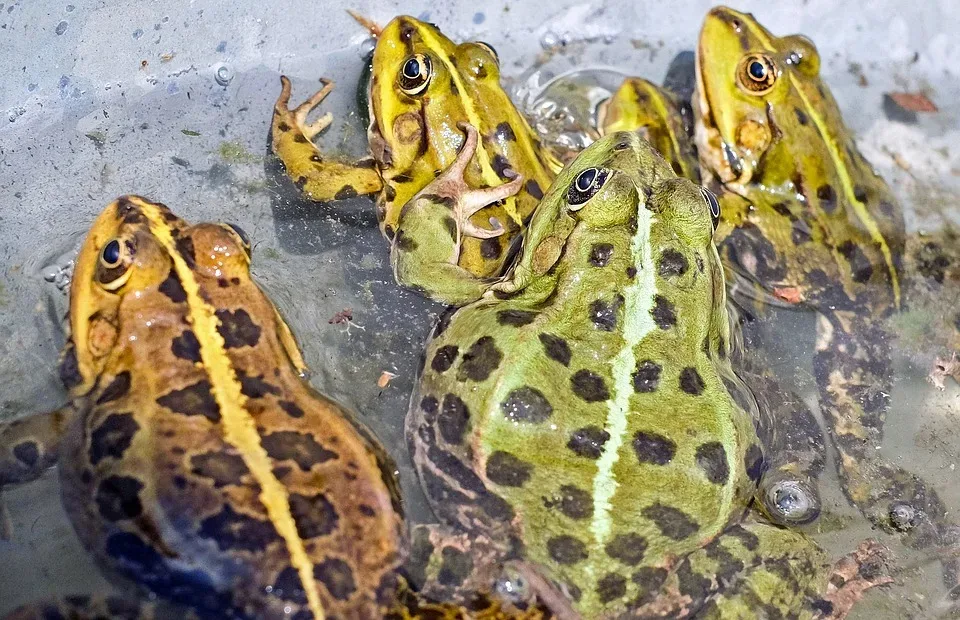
(747, 91)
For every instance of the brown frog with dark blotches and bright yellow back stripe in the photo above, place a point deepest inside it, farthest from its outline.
(196, 462)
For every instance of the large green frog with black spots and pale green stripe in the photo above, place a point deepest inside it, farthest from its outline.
(578, 430)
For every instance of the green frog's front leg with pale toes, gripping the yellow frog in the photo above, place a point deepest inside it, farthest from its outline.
(426, 248)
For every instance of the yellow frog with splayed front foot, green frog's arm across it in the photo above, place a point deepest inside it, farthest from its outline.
(422, 86)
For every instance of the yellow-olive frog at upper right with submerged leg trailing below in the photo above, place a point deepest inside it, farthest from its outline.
(808, 224)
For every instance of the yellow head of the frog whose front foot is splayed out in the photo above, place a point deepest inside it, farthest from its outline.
(415, 89)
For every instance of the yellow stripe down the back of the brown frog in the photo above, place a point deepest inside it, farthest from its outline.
(239, 428)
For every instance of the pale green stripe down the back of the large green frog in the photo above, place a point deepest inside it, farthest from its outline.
(637, 323)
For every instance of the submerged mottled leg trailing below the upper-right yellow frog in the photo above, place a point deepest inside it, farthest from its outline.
(852, 367)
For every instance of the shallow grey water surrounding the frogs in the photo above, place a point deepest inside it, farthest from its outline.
(83, 121)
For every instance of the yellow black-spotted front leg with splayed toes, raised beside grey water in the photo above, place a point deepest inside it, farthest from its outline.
(319, 178)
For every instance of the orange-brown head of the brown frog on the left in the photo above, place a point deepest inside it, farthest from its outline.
(136, 246)
